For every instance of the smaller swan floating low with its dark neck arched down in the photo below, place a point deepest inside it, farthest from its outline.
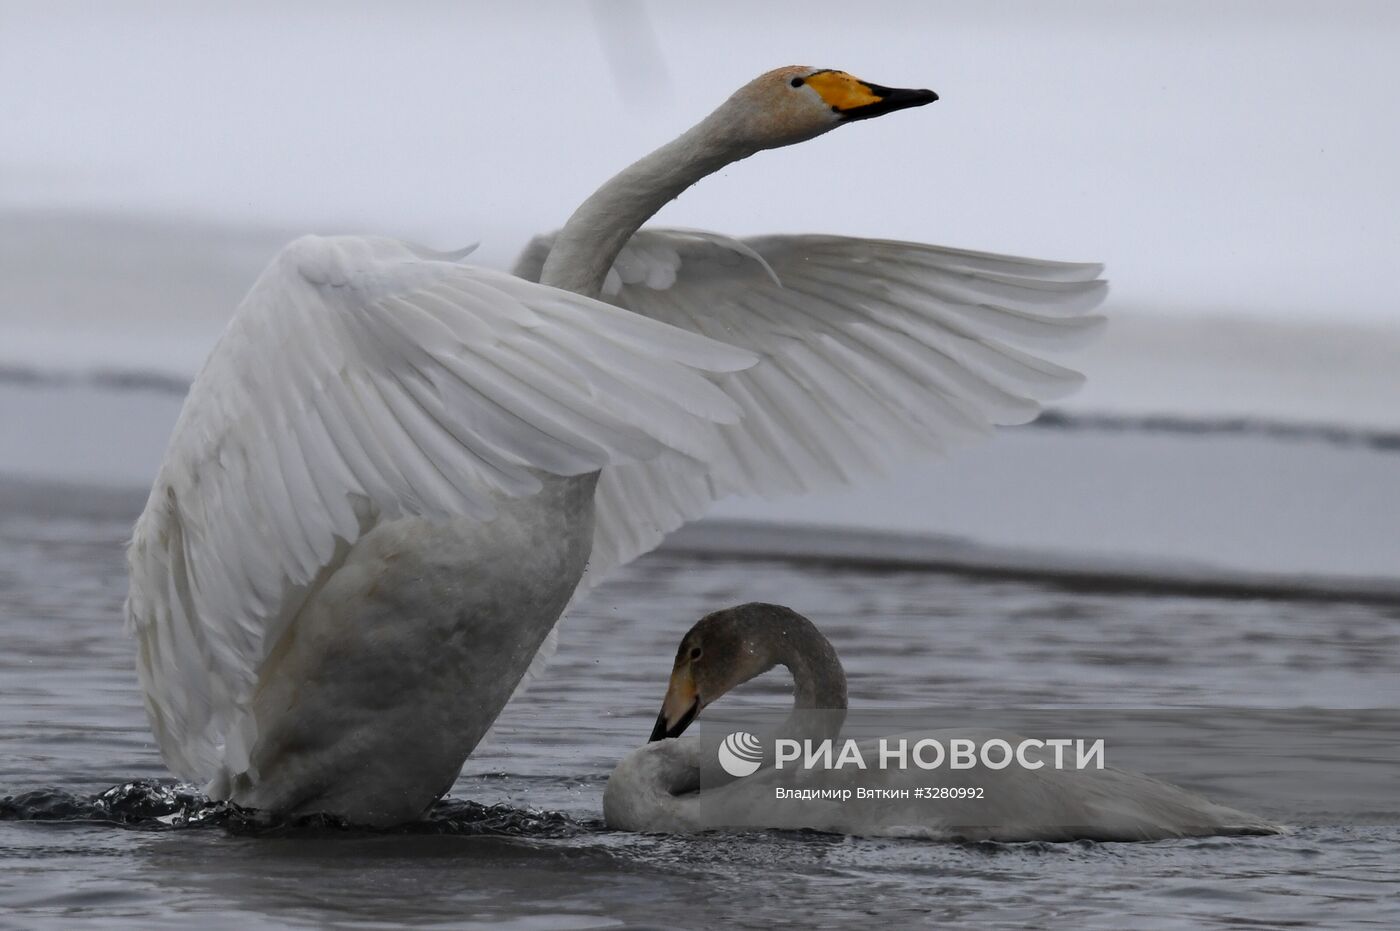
(656, 787)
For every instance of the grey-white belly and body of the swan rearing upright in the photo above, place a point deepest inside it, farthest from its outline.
(421, 610)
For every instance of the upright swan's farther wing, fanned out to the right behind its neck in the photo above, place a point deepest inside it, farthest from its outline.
(870, 351)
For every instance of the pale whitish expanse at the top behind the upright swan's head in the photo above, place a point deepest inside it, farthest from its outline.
(1220, 157)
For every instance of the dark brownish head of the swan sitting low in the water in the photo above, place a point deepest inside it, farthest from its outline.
(720, 653)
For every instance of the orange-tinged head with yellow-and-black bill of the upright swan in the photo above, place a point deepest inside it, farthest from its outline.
(794, 104)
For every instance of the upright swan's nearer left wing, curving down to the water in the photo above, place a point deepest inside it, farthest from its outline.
(366, 380)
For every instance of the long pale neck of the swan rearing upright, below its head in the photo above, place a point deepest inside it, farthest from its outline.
(587, 246)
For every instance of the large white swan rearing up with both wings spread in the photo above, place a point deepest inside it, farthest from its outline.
(391, 474)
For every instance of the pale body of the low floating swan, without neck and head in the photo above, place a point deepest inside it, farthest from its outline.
(1018, 806)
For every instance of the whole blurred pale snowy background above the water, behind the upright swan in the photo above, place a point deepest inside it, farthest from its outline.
(1231, 164)
